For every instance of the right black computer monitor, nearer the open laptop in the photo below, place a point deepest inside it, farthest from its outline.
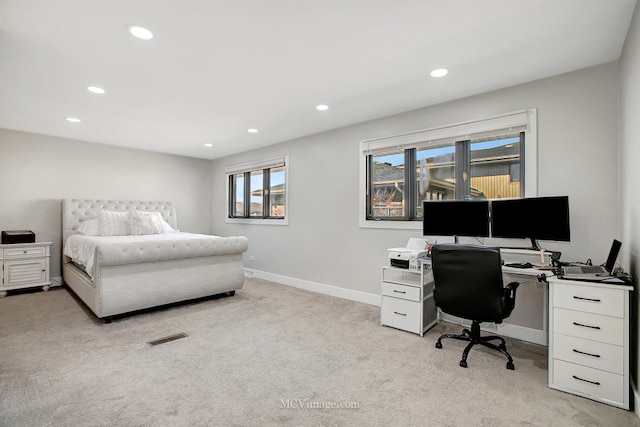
(534, 218)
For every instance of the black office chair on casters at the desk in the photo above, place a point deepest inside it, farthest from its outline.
(468, 284)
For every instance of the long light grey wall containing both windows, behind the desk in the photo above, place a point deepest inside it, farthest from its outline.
(323, 244)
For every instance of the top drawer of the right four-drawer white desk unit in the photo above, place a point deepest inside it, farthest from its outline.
(609, 302)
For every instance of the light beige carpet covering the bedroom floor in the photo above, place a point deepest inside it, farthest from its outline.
(271, 355)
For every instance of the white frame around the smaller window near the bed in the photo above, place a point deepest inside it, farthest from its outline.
(248, 167)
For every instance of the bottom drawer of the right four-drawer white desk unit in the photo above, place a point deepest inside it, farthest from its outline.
(592, 382)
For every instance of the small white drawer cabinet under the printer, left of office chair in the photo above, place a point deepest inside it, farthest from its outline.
(407, 299)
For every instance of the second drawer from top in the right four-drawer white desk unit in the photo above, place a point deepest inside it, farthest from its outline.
(593, 327)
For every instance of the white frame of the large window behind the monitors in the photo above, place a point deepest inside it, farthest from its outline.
(518, 121)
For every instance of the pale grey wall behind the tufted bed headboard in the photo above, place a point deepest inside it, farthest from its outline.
(37, 171)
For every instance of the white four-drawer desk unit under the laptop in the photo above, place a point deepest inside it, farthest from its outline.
(589, 340)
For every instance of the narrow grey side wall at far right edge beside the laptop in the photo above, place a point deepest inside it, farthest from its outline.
(630, 171)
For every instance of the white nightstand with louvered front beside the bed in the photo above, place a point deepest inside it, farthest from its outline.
(25, 265)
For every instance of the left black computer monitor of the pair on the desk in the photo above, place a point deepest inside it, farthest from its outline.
(455, 218)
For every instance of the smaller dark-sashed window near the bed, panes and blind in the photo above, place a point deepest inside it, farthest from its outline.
(257, 192)
